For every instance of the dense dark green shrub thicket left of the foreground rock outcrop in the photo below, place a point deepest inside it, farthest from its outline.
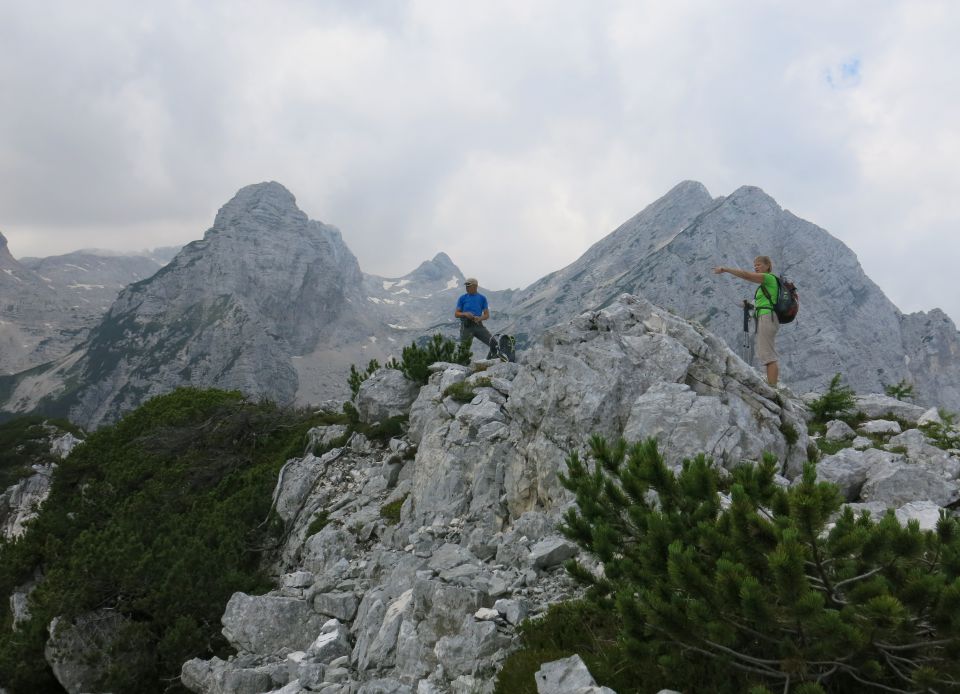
(160, 517)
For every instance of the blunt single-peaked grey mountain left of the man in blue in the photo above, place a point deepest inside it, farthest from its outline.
(230, 311)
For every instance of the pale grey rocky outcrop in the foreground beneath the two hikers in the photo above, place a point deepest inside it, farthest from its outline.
(429, 604)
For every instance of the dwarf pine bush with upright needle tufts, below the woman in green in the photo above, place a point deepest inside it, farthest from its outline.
(762, 591)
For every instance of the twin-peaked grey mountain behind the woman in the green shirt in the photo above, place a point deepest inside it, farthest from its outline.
(667, 252)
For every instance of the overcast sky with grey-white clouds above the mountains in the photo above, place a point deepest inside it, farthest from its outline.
(511, 134)
